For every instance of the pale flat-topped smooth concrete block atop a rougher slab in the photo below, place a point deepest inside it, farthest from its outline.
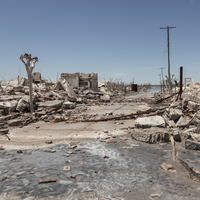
(152, 121)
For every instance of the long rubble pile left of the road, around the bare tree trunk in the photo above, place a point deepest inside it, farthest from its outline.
(53, 102)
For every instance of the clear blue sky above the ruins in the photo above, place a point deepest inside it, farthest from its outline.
(118, 39)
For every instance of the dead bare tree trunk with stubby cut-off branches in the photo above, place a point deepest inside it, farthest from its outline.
(29, 73)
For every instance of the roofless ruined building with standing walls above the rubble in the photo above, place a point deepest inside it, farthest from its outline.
(81, 80)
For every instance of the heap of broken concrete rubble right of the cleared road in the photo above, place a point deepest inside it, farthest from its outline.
(181, 119)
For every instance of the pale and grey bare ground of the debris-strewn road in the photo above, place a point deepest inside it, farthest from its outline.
(124, 169)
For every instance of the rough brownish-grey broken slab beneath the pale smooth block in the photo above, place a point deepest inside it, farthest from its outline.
(150, 136)
